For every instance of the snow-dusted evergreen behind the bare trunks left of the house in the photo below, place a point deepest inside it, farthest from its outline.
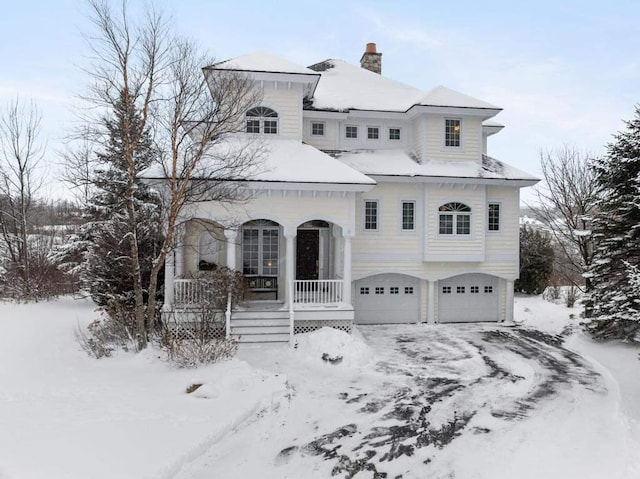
(100, 253)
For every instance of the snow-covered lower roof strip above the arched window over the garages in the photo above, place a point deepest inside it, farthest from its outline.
(400, 163)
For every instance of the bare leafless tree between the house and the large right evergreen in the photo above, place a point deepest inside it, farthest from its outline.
(567, 201)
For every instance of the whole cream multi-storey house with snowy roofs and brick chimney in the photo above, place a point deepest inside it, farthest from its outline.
(378, 204)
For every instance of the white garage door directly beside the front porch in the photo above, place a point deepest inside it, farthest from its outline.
(387, 298)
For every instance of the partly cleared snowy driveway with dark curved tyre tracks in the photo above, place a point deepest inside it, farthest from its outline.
(466, 401)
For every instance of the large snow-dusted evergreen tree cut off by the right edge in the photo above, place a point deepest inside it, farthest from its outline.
(616, 298)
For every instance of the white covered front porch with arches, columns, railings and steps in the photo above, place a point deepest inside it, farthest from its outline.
(298, 276)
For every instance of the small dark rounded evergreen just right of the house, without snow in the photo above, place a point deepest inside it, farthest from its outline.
(536, 261)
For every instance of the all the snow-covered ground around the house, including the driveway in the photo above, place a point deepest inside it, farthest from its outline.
(446, 401)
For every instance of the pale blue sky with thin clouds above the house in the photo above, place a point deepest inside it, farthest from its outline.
(564, 72)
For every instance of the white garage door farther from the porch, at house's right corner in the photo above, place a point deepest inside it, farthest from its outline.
(468, 298)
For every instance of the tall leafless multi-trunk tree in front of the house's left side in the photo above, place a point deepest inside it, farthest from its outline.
(143, 65)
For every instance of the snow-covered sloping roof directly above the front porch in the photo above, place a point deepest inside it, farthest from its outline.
(276, 160)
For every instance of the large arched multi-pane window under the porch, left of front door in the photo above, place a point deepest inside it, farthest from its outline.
(260, 251)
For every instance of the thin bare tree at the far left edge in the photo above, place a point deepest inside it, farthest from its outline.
(21, 153)
